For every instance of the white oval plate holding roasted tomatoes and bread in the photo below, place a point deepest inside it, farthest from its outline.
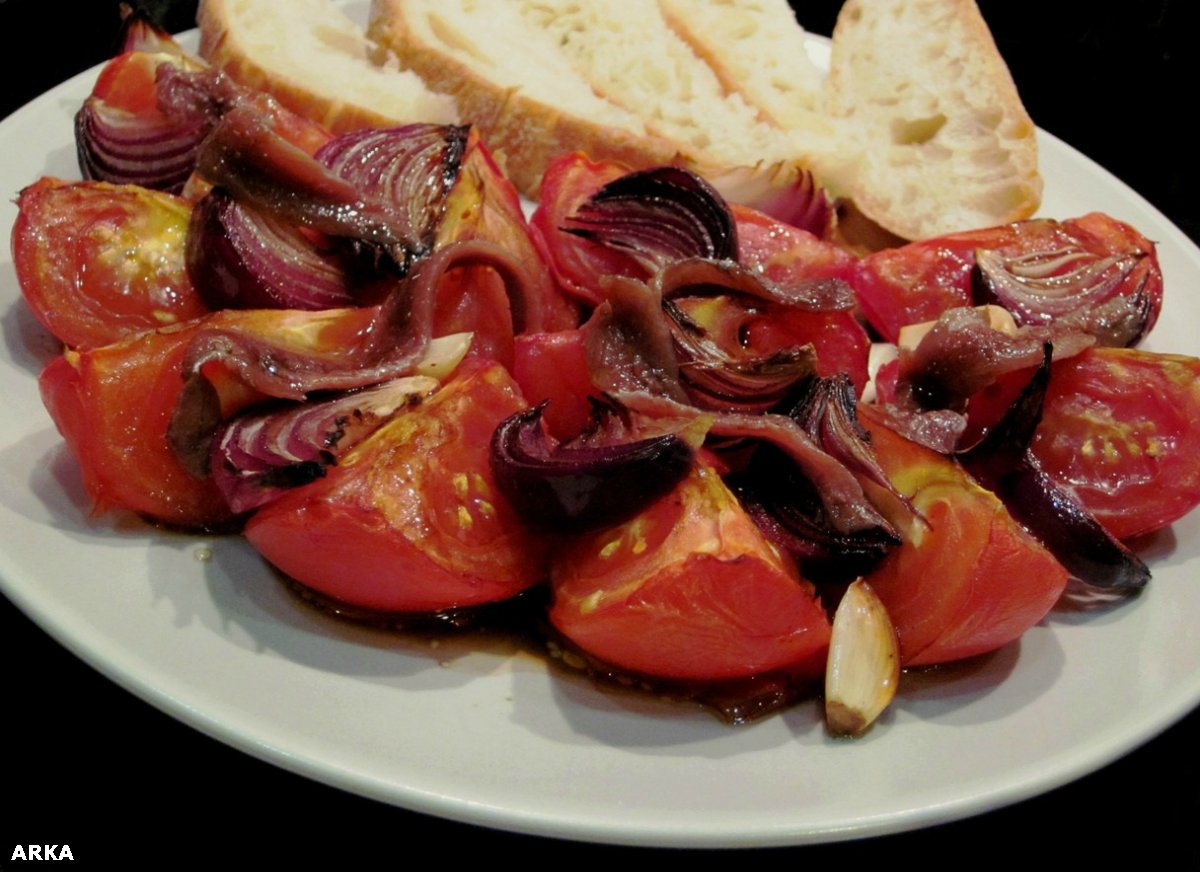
(201, 629)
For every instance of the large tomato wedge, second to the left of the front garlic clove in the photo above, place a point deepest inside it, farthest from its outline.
(411, 521)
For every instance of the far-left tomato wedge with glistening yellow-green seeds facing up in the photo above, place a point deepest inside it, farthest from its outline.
(99, 263)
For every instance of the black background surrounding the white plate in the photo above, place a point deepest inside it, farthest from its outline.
(88, 765)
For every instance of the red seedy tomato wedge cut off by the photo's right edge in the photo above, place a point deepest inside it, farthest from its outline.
(1121, 430)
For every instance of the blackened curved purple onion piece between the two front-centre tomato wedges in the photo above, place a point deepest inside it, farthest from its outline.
(589, 483)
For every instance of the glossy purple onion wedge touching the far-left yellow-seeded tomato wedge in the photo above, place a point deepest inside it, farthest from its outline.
(239, 258)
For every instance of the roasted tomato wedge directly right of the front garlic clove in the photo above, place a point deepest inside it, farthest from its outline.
(968, 579)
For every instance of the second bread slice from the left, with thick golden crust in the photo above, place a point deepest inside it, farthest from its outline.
(513, 83)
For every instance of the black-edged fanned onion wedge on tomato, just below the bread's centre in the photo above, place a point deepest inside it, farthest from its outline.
(661, 215)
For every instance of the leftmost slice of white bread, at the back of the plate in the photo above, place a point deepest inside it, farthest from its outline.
(315, 61)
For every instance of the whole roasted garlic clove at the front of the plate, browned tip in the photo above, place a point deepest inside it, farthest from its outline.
(865, 663)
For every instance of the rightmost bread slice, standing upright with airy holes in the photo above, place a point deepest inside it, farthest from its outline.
(947, 143)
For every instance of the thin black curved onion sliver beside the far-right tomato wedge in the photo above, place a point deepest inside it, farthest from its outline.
(1003, 464)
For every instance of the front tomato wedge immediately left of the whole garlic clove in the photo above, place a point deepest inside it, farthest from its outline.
(687, 591)
